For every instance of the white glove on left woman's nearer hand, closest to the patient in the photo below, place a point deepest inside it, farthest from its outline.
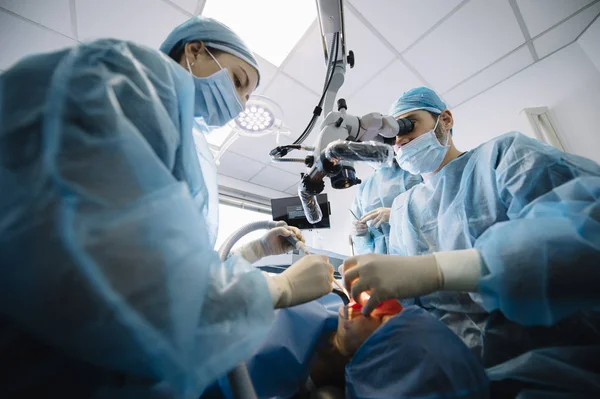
(308, 279)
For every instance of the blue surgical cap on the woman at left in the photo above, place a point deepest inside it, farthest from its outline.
(214, 35)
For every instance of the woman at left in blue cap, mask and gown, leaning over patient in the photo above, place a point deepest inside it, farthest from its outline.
(110, 285)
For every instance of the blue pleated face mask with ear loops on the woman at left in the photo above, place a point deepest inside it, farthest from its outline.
(216, 99)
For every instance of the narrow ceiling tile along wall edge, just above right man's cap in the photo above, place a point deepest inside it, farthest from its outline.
(489, 77)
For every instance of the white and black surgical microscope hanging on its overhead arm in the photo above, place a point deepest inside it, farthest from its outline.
(344, 139)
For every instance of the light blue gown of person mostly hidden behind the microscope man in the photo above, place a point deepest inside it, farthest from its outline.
(379, 190)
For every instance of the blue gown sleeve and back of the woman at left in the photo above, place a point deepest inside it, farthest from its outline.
(105, 247)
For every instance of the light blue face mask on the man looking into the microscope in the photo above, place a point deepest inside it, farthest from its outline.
(424, 154)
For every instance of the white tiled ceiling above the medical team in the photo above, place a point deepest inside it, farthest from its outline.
(458, 48)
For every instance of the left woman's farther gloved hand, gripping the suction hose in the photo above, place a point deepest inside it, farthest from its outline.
(272, 243)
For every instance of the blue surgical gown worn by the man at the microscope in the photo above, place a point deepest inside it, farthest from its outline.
(533, 212)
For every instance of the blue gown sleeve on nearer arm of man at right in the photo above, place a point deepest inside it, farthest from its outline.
(543, 264)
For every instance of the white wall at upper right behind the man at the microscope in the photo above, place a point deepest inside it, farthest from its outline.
(567, 82)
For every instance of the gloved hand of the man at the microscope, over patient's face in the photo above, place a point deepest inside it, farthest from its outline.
(389, 276)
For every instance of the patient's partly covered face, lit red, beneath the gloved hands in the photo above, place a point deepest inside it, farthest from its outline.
(354, 328)
